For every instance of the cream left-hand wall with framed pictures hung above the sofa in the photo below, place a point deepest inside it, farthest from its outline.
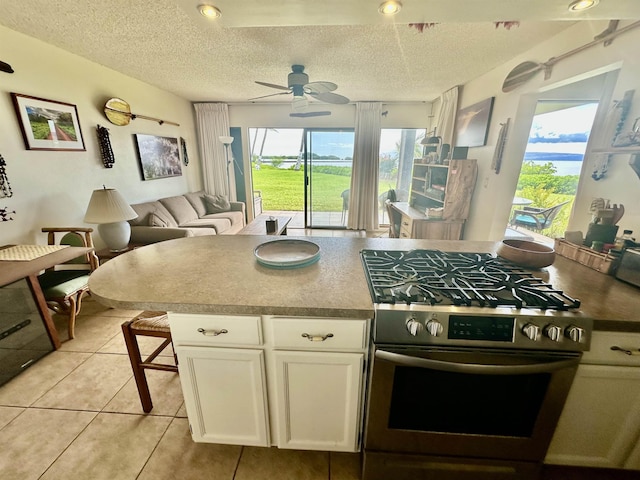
(53, 188)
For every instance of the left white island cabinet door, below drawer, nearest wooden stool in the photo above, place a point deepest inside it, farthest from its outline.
(224, 393)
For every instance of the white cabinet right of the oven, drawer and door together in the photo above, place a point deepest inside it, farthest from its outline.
(600, 423)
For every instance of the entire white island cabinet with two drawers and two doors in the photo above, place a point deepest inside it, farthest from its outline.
(298, 386)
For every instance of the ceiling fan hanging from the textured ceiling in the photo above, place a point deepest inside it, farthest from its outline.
(299, 85)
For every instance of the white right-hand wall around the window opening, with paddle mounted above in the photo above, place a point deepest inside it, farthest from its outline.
(493, 194)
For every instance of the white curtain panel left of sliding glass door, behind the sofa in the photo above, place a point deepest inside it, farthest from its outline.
(213, 122)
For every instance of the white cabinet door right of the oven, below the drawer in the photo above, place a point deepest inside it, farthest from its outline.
(600, 422)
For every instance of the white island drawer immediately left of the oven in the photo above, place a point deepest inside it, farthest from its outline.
(319, 333)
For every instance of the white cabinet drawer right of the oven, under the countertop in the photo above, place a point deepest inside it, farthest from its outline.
(601, 353)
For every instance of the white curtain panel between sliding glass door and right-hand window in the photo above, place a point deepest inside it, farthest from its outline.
(363, 198)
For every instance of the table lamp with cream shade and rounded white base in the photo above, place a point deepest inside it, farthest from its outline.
(110, 211)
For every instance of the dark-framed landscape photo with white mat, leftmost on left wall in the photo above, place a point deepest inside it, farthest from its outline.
(47, 124)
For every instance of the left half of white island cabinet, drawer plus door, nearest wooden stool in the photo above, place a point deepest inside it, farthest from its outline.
(222, 371)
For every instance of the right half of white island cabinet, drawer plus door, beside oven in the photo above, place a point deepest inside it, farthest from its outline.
(317, 378)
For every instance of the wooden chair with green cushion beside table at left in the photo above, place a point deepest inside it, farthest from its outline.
(65, 285)
